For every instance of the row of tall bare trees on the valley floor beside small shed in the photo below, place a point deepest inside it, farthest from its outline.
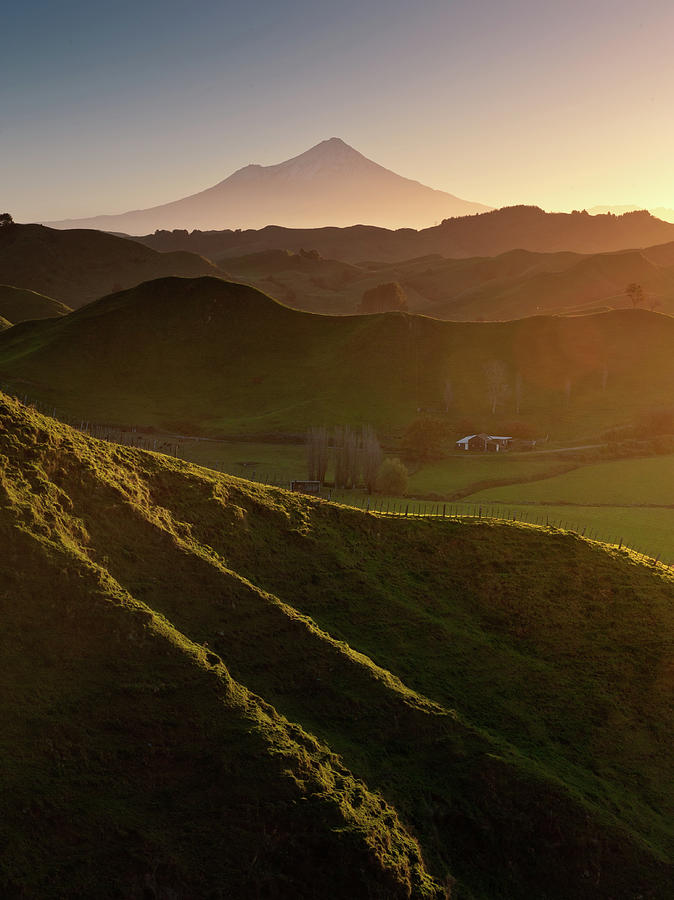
(357, 455)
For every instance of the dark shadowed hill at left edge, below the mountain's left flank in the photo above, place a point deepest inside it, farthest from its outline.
(78, 266)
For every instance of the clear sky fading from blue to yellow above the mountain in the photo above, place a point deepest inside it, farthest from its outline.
(111, 106)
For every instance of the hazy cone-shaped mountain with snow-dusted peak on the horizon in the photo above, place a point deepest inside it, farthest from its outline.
(329, 184)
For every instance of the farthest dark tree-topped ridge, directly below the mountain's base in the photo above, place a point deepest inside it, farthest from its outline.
(484, 234)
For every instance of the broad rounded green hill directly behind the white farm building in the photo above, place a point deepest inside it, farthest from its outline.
(204, 355)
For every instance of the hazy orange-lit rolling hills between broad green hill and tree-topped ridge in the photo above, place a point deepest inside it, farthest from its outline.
(514, 285)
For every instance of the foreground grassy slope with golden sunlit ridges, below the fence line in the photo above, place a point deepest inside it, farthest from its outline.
(500, 694)
